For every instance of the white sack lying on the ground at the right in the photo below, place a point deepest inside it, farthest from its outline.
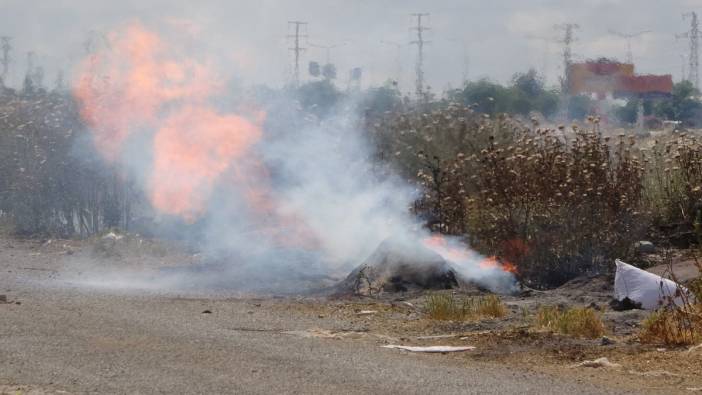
(643, 287)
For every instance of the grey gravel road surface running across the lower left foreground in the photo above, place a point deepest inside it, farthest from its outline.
(62, 338)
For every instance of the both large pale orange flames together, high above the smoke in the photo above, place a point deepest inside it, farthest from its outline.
(140, 85)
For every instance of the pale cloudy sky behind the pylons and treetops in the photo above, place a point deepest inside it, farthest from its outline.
(468, 38)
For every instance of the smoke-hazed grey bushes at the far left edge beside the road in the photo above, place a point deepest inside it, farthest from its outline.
(48, 185)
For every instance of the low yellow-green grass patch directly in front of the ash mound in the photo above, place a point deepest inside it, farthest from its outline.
(446, 307)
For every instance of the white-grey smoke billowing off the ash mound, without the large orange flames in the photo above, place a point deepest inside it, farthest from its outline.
(321, 184)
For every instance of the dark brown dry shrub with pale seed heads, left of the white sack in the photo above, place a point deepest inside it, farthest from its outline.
(571, 200)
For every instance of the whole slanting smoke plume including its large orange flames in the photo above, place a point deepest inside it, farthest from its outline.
(271, 193)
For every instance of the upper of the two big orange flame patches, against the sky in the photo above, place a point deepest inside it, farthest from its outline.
(127, 86)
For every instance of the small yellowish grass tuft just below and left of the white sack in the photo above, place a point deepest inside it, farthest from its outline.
(579, 322)
